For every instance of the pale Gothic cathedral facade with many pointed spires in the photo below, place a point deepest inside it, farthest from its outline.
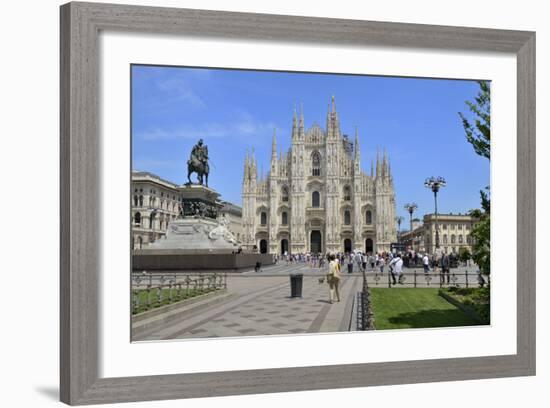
(316, 198)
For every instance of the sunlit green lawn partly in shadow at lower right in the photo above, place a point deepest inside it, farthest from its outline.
(405, 308)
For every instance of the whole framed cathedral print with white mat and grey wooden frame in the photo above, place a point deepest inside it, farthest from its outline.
(233, 183)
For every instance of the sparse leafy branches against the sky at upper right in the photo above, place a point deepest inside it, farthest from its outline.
(478, 133)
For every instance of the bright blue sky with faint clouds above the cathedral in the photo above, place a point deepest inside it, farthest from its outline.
(416, 120)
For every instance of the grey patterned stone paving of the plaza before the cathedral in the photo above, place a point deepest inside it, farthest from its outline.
(259, 303)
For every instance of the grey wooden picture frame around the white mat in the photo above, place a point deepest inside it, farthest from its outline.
(80, 191)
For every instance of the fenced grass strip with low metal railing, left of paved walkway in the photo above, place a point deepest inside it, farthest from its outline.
(151, 290)
